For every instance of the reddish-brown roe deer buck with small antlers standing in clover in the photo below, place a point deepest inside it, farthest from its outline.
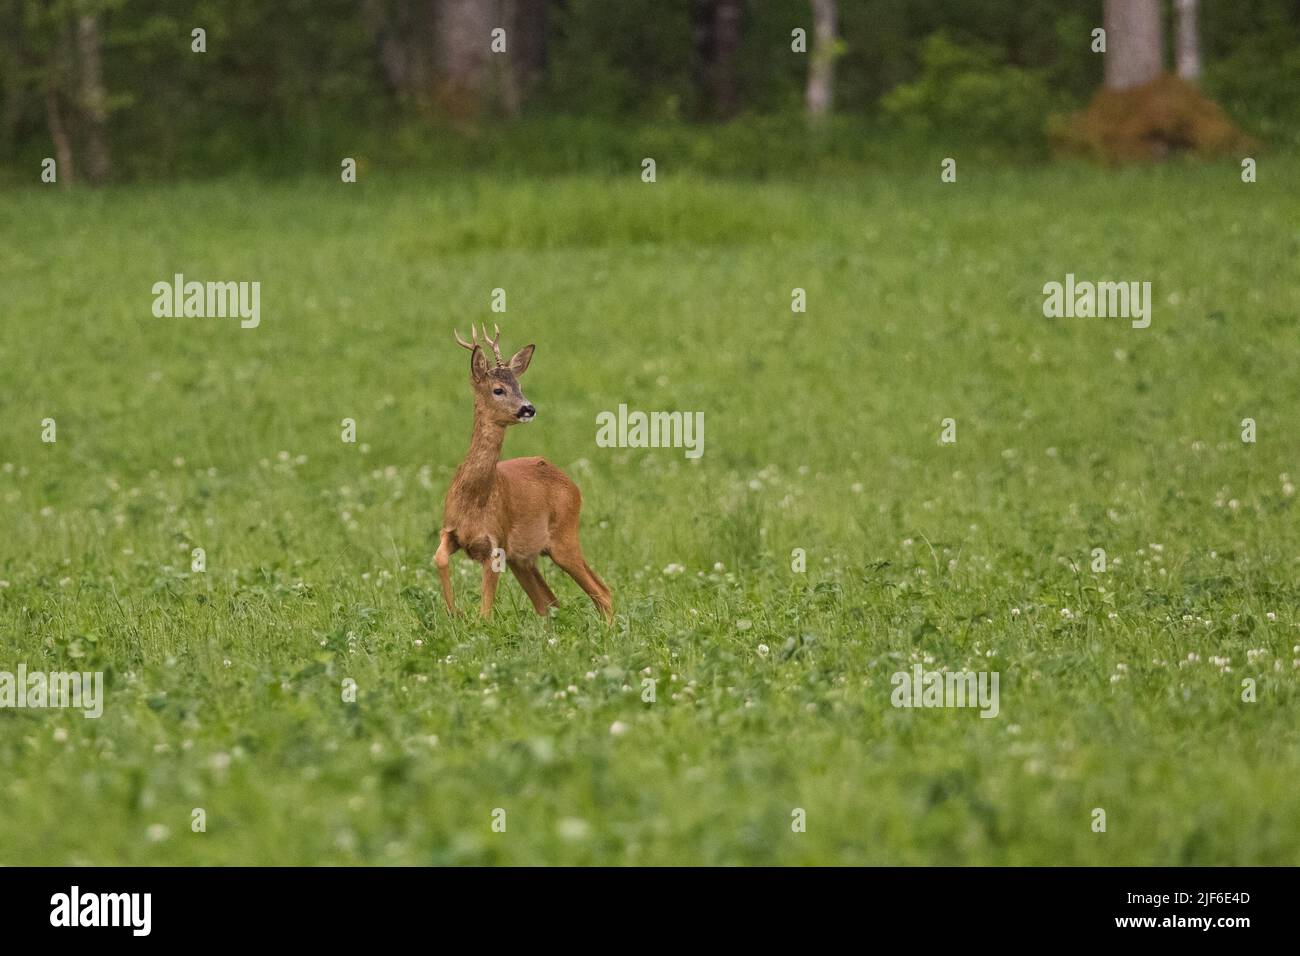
(526, 508)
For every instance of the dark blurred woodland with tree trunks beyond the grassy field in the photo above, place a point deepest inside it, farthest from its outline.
(114, 90)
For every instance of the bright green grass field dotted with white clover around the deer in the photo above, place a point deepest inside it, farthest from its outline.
(1121, 691)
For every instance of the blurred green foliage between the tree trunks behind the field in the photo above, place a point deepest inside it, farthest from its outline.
(289, 88)
